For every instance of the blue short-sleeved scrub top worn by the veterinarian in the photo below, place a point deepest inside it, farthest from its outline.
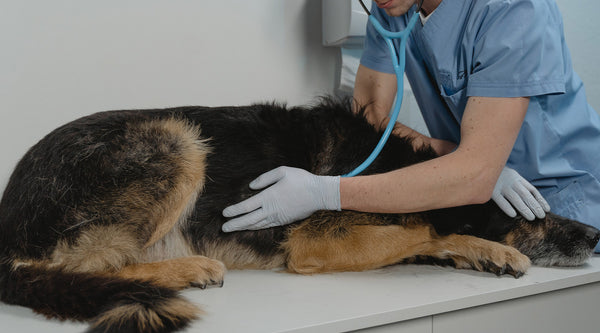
(499, 48)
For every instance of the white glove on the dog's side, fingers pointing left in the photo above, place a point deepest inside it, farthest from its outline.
(294, 194)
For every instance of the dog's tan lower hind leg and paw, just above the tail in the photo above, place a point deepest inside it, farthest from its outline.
(116, 250)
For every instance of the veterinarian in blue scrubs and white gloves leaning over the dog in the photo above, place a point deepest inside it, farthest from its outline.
(495, 84)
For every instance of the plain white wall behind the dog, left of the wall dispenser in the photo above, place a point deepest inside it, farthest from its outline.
(62, 59)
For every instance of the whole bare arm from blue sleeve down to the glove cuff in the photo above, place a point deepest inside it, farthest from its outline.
(466, 176)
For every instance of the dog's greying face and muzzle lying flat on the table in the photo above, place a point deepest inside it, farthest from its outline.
(553, 241)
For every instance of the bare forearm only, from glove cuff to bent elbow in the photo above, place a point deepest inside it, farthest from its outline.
(439, 183)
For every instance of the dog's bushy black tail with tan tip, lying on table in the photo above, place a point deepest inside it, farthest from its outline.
(109, 303)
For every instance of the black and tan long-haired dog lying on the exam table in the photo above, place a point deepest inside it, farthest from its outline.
(108, 216)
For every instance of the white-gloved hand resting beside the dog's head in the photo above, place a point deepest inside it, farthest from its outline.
(512, 190)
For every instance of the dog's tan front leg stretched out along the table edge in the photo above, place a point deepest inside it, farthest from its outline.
(356, 242)
